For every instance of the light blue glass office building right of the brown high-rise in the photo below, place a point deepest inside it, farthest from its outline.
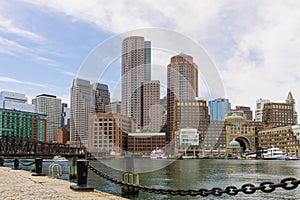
(218, 108)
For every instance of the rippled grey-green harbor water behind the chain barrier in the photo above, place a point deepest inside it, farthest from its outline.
(193, 174)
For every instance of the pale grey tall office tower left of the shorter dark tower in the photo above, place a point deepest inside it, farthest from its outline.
(82, 104)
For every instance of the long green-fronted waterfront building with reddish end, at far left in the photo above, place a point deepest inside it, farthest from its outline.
(23, 124)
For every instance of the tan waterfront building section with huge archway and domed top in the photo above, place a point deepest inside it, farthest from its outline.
(239, 129)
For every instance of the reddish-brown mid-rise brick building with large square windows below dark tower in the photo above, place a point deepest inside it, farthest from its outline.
(108, 132)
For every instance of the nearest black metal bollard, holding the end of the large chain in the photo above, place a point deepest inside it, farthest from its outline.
(82, 174)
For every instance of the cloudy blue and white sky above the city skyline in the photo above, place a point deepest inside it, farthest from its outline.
(254, 45)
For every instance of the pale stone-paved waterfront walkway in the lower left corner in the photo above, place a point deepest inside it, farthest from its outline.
(19, 184)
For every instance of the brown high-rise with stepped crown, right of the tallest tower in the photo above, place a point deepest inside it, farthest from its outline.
(182, 85)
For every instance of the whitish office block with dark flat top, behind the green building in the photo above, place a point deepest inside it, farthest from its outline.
(51, 106)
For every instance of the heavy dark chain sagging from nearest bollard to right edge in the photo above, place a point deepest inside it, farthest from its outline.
(266, 187)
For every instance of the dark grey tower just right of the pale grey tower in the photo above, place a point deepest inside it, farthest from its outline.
(102, 97)
